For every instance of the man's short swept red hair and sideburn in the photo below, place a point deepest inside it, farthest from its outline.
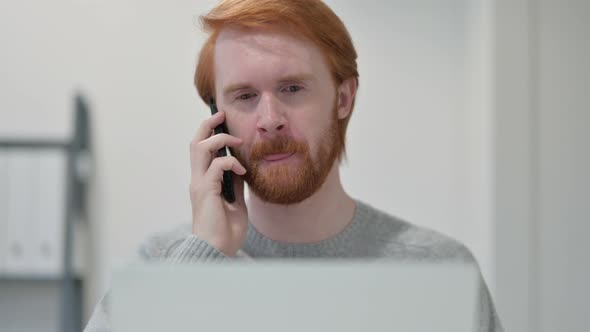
(310, 18)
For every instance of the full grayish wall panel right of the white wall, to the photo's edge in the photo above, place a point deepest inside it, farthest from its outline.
(542, 158)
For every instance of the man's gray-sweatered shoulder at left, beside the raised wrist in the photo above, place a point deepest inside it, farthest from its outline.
(160, 245)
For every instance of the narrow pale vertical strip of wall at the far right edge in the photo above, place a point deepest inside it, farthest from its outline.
(563, 163)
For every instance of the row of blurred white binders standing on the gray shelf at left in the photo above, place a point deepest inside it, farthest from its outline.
(32, 220)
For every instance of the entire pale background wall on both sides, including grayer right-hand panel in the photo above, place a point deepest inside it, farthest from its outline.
(478, 104)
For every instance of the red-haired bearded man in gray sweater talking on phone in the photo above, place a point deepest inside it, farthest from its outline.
(284, 76)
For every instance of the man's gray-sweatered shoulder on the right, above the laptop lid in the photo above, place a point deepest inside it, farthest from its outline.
(401, 239)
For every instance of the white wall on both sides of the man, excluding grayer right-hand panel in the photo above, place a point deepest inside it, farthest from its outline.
(424, 97)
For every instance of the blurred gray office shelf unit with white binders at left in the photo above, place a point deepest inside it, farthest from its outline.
(63, 277)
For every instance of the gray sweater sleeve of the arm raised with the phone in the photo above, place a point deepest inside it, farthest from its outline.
(191, 249)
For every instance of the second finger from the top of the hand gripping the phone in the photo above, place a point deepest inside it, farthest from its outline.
(204, 151)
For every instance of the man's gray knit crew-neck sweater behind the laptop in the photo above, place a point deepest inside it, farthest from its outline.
(372, 234)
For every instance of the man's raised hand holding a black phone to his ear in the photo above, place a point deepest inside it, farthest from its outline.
(219, 212)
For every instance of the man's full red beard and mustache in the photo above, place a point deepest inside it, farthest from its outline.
(292, 182)
